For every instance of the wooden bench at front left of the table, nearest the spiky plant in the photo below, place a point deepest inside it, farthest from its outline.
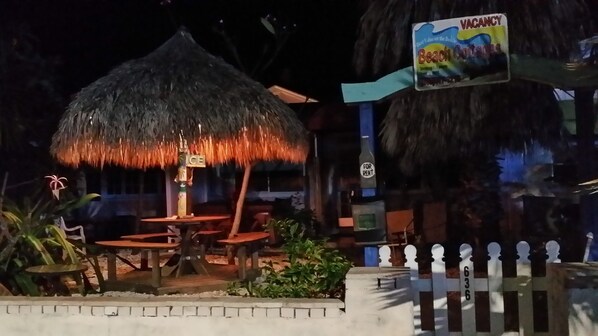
(154, 249)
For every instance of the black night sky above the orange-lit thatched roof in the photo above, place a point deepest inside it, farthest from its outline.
(90, 37)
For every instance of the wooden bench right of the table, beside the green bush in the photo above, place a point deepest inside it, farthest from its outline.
(249, 242)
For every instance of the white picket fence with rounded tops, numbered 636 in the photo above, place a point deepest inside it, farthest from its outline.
(495, 285)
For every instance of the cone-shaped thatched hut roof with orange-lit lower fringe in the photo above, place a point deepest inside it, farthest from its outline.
(135, 115)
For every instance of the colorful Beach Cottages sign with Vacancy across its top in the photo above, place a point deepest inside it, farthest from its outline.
(463, 51)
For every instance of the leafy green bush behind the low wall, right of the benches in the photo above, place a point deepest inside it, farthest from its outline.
(312, 270)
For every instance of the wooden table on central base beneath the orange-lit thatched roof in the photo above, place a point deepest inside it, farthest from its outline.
(187, 226)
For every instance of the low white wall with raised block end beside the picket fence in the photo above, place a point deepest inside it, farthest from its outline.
(375, 305)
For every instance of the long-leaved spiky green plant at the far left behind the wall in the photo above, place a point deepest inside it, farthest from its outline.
(32, 238)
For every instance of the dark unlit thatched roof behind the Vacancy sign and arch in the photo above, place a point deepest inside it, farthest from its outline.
(422, 128)
